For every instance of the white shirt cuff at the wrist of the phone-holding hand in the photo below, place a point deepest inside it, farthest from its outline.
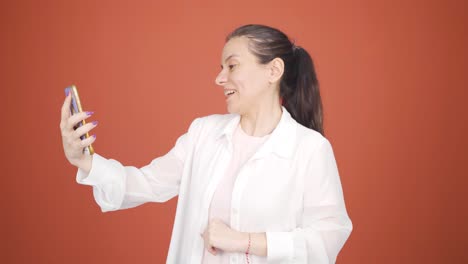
(99, 173)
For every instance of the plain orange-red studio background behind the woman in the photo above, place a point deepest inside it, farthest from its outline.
(393, 81)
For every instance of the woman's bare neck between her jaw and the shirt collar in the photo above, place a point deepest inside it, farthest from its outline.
(261, 121)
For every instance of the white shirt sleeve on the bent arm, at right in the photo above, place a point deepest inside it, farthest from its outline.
(325, 225)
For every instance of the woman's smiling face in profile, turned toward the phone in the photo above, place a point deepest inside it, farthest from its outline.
(242, 75)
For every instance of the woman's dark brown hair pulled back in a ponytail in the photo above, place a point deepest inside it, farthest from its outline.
(299, 88)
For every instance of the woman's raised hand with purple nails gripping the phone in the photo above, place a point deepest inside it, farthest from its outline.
(73, 145)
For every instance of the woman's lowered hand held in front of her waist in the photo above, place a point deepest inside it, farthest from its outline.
(219, 236)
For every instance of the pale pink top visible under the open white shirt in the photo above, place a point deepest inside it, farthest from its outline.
(244, 147)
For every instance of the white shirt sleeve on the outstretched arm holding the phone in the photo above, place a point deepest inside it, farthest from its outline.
(117, 187)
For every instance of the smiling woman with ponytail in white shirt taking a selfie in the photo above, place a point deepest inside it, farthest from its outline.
(257, 185)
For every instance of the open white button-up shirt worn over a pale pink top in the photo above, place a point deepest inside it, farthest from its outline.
(290, 189)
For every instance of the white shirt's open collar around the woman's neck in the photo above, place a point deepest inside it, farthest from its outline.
(281, 141)
